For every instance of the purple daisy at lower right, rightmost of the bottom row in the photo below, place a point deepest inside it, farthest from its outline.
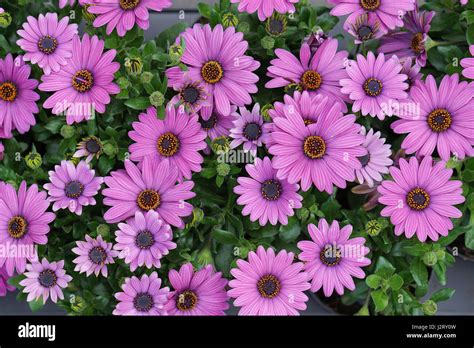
(331, 258)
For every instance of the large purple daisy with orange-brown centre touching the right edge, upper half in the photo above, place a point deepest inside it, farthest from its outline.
(440, 118)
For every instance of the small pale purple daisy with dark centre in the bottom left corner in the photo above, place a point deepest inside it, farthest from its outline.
(44, 279)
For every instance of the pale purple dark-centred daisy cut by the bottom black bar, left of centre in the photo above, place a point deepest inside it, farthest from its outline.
(142, 296)
